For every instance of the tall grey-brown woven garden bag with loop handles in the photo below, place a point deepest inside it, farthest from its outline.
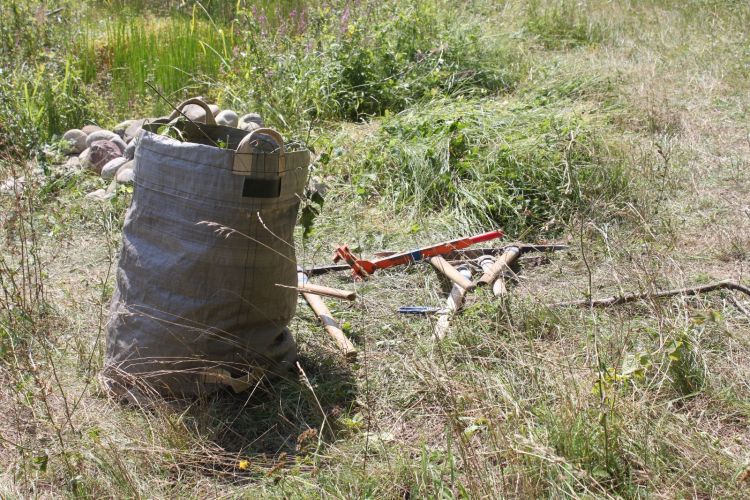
(206, 278)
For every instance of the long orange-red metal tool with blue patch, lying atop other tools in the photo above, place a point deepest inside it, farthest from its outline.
(363, 268)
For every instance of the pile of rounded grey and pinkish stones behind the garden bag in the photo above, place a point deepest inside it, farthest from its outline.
(109, 153)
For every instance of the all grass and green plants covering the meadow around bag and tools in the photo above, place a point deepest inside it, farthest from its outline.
(620, 128)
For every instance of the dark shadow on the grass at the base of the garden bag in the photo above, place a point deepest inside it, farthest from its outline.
(281, 417)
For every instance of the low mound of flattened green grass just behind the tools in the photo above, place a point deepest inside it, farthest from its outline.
(510, 163)
